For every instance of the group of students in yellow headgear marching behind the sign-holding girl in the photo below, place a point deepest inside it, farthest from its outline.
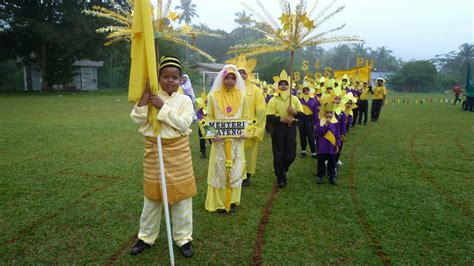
(323, 114)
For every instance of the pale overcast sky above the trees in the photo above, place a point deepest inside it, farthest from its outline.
(413, 29)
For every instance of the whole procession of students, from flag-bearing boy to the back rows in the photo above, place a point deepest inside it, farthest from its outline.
(323, 111)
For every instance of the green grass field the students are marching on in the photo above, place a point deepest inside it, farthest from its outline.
(71, 191)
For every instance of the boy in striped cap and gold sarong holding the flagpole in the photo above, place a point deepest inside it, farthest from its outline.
(175, 116)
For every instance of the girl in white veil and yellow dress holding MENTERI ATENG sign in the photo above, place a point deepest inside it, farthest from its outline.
(227, 159)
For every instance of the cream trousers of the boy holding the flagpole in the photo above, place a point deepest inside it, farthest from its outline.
(181, 221)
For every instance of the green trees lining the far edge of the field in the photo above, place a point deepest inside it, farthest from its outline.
(53, 34)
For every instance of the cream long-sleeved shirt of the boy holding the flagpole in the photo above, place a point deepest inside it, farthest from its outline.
(175, 116)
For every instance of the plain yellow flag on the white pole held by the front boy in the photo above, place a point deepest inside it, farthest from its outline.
(143, 65)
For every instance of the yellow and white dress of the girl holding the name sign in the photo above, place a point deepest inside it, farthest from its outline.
(225, 104)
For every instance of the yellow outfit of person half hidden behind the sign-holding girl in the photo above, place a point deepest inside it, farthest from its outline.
(254, 109)
